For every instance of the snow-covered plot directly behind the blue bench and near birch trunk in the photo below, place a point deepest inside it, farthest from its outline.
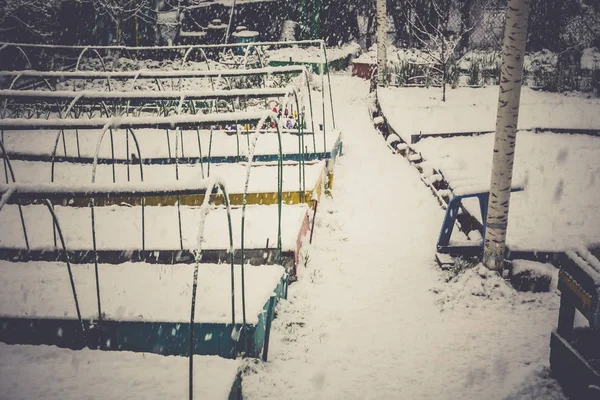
(559, 206)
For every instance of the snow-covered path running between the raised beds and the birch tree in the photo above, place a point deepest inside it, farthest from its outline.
(372, 317)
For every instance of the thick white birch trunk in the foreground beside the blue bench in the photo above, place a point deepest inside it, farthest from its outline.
(513, 49)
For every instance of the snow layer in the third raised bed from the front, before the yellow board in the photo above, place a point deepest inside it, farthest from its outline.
(120, 227)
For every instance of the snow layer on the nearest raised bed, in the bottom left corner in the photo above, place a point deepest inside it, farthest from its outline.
(51, 373)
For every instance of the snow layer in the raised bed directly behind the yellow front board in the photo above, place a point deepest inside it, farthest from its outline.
(263, 178)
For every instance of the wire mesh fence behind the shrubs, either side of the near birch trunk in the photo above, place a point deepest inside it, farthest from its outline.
(555, 25)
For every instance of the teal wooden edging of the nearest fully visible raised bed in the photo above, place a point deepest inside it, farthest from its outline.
(166, 338)
